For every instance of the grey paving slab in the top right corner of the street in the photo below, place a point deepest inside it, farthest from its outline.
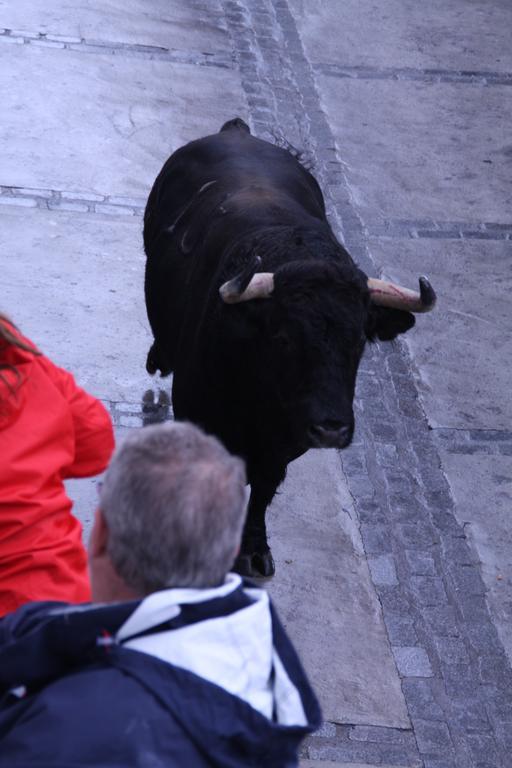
(446, 35)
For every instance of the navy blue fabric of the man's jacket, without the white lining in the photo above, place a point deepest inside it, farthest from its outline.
(70, 695)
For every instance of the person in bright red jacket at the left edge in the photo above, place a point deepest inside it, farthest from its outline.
(50, 430)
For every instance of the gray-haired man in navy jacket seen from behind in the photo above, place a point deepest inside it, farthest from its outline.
(177, 662)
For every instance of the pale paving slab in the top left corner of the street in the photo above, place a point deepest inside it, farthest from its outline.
(165, 23)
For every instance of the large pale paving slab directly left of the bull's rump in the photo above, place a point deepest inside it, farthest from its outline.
(129, 103)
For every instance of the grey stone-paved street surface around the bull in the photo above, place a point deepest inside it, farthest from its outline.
(402, 111)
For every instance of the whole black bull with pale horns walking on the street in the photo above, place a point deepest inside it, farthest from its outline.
(265, 361)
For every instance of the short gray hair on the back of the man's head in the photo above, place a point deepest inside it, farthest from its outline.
(173, 499)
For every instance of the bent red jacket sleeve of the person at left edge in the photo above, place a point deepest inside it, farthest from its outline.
(94, 436)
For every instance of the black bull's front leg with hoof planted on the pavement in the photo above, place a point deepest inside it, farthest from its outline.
(255, 558)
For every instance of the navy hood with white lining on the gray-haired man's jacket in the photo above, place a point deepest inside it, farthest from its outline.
(193, 650)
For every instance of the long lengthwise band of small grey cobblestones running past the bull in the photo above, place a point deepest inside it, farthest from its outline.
(400, 492)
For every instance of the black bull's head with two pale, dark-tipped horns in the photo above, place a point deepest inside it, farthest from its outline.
(313, 332)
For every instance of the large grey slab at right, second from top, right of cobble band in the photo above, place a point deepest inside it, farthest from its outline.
(368, 116)
